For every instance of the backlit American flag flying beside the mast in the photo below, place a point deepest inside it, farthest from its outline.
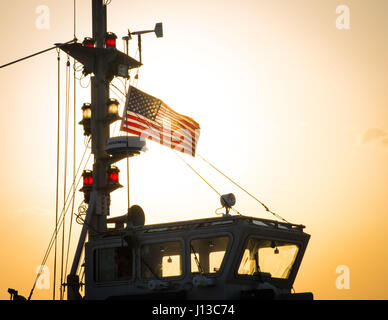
(149, 117)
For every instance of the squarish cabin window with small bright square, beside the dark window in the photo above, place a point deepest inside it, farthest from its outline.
(160, 260)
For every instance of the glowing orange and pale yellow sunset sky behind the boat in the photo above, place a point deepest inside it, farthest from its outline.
(291, 106)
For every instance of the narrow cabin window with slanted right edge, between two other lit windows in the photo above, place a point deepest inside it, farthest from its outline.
(207, 254)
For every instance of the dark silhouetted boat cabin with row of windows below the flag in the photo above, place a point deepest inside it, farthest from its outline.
(226, 257)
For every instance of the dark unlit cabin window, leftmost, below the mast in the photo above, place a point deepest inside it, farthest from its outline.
(114, 264)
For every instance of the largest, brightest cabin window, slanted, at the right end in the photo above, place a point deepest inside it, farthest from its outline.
(273, 257)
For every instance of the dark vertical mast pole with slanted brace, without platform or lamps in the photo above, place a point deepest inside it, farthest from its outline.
(99, 203)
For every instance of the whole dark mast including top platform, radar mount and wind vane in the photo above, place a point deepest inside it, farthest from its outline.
(104, 62)
